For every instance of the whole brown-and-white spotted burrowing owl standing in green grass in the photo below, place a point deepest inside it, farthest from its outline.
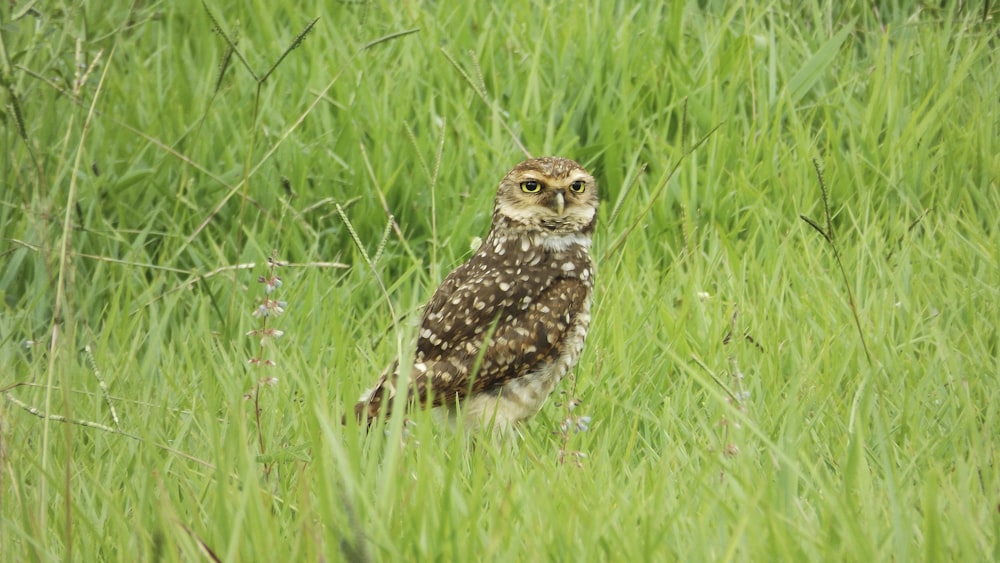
(526, 294)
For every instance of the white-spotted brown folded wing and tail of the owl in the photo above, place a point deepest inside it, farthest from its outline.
(525, 312)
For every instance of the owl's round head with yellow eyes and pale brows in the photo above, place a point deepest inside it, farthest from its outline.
(548, 195)
